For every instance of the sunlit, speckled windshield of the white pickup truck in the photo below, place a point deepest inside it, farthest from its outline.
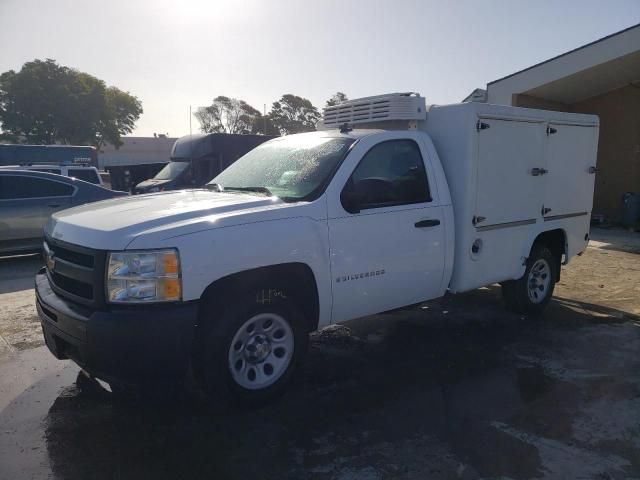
(289, 167)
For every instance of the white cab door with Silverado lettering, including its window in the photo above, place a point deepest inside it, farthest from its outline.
(386, 229)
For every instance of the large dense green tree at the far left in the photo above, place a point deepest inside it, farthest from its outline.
(47, 103)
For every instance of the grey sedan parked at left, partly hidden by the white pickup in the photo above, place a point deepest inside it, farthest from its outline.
(28, 198)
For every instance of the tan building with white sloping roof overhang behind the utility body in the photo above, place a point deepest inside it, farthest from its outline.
(601, 78)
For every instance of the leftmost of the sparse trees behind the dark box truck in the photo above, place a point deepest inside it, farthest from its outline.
(229, 115)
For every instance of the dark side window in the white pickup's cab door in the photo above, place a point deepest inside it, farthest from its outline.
(391, 173)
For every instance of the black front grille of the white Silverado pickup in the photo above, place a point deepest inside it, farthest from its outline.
(75, 272)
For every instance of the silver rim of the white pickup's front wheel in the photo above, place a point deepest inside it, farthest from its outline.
(261, 351)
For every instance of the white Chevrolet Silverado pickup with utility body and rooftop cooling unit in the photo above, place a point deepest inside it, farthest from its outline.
(391, 204)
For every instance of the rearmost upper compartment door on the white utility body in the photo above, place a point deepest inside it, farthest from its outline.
(571, 160)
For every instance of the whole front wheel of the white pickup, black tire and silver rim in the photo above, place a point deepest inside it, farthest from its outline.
(252, 350)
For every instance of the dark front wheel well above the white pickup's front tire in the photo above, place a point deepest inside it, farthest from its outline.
(290, 280)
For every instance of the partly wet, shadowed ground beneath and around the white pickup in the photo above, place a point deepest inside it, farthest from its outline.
(456, 388)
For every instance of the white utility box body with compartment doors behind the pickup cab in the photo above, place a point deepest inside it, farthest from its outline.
(513, 173)
